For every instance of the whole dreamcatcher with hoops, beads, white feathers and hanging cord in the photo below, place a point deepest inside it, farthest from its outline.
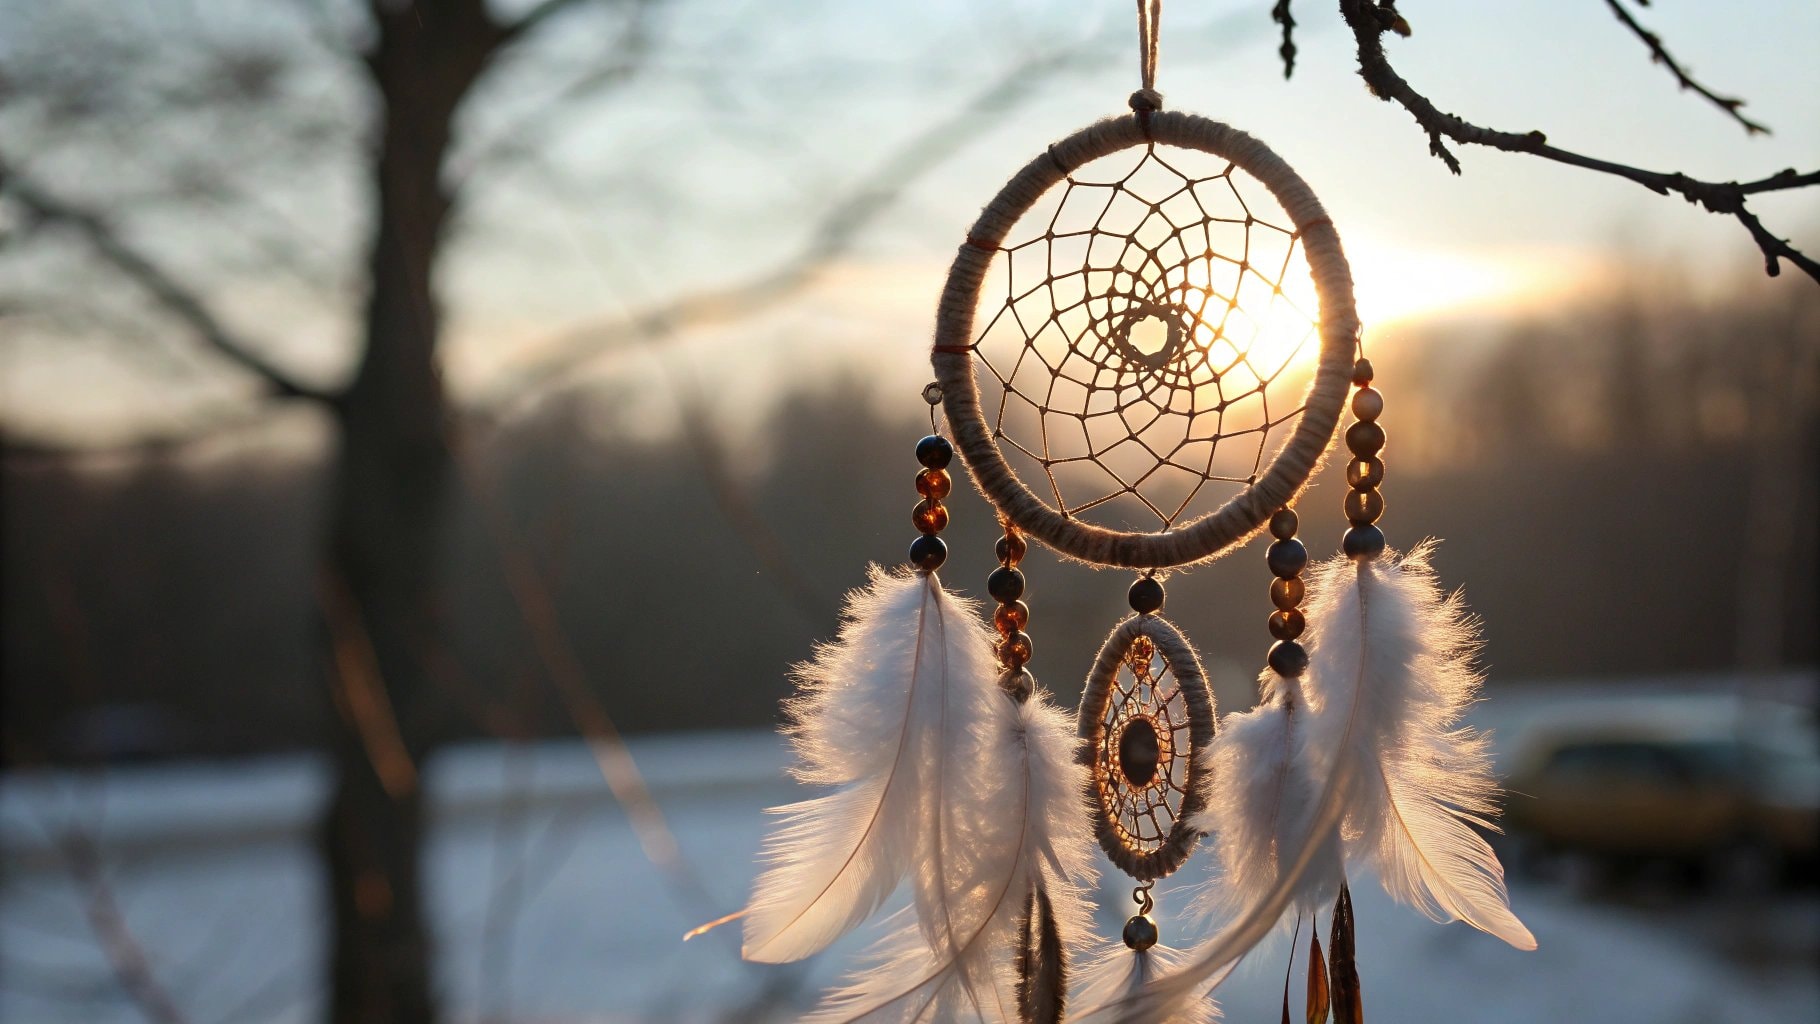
(1144, 348)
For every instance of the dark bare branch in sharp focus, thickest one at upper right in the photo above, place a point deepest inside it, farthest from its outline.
(1370, 21)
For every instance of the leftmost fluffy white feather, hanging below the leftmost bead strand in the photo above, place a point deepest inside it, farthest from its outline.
(882, 714)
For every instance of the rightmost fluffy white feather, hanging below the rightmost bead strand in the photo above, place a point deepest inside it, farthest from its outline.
(1390, 676)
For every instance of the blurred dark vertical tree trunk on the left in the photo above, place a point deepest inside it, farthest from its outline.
(387, 528)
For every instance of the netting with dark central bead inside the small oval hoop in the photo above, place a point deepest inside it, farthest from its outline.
(1142, 783)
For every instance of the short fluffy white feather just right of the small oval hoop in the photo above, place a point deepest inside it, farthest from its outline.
(1260, 801)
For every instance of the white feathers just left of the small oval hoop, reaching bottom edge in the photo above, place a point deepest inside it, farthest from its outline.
(1011, 819)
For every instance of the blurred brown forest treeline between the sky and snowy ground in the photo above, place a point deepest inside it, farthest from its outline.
(1626, 487)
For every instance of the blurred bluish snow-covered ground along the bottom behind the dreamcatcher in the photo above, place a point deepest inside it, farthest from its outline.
(547, 909)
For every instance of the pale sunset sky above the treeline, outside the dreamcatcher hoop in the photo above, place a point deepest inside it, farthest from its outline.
(720, 157)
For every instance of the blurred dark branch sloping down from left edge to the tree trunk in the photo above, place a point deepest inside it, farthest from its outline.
(174, 296)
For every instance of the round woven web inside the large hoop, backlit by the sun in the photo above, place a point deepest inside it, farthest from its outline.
(1146, 337)
